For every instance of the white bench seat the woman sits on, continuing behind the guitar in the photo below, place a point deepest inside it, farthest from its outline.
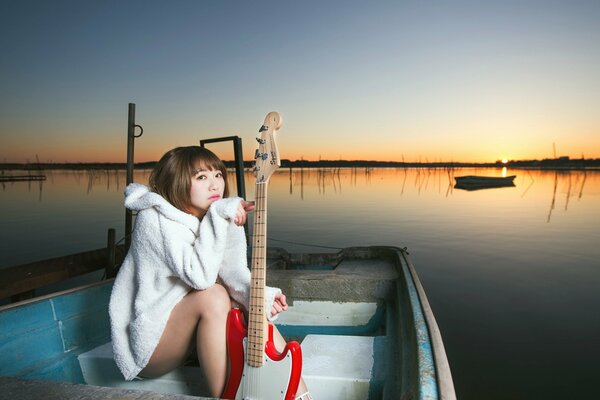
(334, 367)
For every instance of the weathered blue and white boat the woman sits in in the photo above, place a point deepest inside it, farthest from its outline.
(361, 315)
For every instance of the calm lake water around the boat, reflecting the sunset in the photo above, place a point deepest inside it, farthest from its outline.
(512, 274)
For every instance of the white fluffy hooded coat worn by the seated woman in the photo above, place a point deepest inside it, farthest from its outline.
(171, 253)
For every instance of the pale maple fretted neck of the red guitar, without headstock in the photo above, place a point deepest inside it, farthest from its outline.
(257, 324)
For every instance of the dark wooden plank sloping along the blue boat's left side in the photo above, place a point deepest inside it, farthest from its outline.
(27, 277)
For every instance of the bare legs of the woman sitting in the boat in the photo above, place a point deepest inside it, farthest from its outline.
(200, 318)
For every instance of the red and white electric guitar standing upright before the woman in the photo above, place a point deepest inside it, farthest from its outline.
(257, 370)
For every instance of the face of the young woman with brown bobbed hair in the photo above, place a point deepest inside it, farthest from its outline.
(207, 187)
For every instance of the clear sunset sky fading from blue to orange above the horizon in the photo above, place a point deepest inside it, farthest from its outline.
(388, 80)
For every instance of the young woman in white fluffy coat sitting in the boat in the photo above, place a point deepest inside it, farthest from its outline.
(185, 269)
